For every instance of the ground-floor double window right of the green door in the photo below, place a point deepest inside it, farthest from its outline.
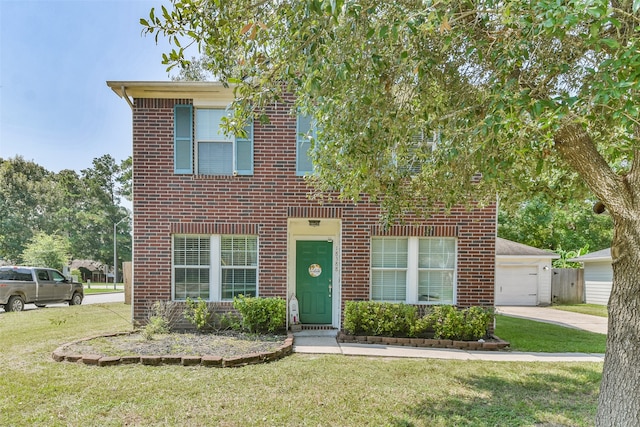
(413, 270)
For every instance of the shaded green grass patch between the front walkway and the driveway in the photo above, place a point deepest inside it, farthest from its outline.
(528, 335)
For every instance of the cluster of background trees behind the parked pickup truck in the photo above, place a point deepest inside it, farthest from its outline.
(67, 214)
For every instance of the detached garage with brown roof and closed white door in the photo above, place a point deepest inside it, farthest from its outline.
(523, 274)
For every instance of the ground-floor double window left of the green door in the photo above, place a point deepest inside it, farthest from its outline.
(214, 267)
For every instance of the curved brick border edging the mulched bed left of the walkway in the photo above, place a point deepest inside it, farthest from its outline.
(164, 360)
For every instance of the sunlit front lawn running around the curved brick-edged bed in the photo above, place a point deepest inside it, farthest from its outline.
(327, 390)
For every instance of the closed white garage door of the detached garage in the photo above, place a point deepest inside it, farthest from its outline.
(516, 285)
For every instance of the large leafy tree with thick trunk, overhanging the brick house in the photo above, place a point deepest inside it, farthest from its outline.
(538, 97)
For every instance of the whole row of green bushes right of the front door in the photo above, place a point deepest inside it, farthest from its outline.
(387, 319)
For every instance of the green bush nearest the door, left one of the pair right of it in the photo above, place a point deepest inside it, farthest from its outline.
(384, 319)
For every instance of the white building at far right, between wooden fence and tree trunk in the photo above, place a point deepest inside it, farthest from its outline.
(598, 276)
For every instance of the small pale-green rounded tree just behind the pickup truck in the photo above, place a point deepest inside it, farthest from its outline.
(44, 250)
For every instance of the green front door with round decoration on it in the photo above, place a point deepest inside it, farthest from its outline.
(314, 268)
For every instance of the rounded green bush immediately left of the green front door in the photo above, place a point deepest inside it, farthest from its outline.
(261, 315)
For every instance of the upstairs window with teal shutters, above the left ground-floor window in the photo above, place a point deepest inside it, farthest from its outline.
(208, 151)
